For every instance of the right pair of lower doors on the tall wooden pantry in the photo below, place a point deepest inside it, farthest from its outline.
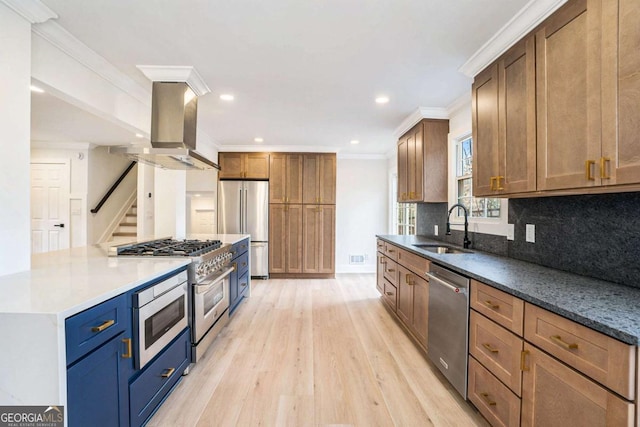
(318, 241)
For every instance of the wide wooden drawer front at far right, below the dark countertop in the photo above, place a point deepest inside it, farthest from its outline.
(605, 359)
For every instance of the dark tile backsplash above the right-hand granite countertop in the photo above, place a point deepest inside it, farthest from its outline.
(591, 235)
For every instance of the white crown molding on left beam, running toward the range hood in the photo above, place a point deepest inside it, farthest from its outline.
(69, 44)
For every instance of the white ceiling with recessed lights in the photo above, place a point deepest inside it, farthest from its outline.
(303, 73)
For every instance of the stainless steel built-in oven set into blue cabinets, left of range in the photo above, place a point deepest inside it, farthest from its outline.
(160, 314)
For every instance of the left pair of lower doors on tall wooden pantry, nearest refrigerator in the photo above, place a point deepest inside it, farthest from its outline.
(284, 254)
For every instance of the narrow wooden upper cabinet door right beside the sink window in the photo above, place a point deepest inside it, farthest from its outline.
(485, 131)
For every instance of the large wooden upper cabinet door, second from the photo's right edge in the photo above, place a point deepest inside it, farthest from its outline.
(568, 70)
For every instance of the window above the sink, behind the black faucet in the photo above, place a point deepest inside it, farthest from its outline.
(478, 207)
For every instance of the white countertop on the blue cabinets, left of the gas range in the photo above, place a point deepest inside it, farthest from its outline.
(66, 282)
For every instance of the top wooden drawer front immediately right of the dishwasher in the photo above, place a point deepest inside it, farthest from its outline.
(502, 308)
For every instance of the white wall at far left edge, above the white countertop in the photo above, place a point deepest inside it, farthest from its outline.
(15, 106)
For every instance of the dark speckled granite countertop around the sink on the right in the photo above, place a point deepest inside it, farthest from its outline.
(603, 306)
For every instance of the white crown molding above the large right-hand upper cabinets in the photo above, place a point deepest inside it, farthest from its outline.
(529, 17)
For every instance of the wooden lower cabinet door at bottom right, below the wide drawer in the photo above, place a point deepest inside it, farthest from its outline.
(555, 395)
